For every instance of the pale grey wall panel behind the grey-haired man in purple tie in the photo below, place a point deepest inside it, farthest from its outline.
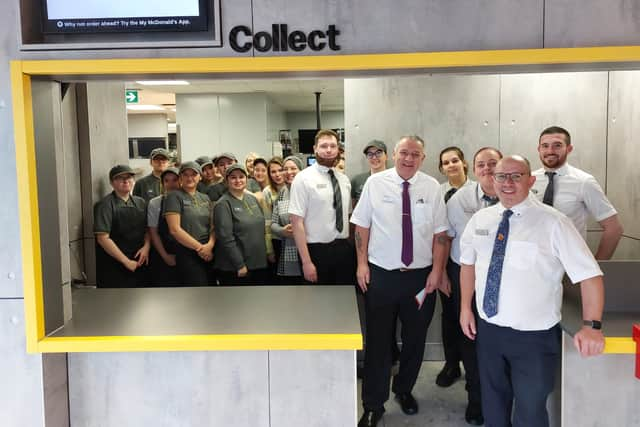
(444, 109)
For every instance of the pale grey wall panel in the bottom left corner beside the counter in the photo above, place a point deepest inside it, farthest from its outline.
(21, 392)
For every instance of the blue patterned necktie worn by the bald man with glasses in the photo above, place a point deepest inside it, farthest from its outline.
(494, 274)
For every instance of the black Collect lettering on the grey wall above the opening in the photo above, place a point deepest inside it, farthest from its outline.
(280, 39)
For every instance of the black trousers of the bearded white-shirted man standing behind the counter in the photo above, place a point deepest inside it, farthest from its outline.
(335, 262)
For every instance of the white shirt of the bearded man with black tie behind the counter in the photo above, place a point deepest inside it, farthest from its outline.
(311, 198)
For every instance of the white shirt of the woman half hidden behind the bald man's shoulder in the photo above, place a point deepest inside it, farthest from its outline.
(460, 208)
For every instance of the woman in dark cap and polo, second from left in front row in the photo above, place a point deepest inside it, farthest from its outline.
(188, 215)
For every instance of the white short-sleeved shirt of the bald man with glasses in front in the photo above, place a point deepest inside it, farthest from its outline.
(542, 245)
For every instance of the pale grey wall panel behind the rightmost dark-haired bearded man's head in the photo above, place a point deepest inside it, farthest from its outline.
(576, 101)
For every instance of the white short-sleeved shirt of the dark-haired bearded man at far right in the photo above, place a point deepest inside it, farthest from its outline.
(576, 194)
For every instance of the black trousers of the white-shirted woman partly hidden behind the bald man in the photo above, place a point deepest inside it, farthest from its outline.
(465, 347)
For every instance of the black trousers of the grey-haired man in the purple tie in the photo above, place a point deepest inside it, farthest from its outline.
(391, 294)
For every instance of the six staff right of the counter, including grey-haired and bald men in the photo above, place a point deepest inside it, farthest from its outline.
(497, 251)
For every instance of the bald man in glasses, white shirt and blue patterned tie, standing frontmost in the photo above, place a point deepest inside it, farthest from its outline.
(515, 254)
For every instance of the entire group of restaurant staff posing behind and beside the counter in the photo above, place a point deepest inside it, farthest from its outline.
(496, 250)
